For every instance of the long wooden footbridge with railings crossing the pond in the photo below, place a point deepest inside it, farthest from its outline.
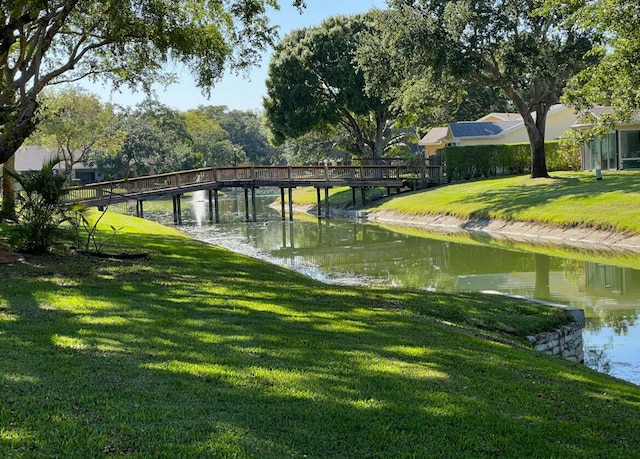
(250, 178)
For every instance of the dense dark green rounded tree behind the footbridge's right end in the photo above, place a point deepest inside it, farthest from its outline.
(315, 84)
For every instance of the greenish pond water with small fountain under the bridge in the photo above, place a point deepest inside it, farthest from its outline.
(354, 252)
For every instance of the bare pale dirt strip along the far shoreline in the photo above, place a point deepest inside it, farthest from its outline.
(518, 231)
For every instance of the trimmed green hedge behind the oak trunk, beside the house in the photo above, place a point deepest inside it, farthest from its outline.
(464, 163)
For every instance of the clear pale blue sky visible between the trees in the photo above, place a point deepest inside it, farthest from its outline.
(238, 92)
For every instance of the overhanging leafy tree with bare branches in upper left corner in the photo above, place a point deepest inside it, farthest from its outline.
(48, 42)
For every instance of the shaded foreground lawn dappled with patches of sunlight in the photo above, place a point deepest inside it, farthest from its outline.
(200, 352)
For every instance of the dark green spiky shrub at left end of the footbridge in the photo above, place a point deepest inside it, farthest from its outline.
(42, 208)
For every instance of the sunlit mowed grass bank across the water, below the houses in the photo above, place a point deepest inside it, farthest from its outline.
(567, 199)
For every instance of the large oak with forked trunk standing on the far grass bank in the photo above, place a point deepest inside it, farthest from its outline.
(528, 53)
